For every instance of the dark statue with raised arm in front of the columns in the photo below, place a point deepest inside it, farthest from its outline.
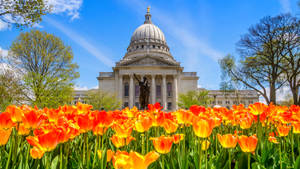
(144, 92)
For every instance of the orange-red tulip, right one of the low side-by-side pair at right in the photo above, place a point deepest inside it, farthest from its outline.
(247, 144)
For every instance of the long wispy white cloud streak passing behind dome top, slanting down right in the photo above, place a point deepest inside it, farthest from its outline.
(193, 45)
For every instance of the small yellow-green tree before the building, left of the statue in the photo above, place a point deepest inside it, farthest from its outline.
(101, 100)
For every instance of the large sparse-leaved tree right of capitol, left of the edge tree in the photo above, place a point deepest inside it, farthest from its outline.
(260, 56)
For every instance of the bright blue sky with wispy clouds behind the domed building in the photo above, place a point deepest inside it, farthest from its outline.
(198, 32)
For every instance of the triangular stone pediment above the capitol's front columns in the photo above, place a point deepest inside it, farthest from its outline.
(147, 61)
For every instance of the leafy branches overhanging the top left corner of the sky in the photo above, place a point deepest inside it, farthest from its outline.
(22, 12)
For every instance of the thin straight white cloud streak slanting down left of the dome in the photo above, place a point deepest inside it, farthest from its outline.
(81, 41)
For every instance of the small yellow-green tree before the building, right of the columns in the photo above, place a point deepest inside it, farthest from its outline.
(199, 97)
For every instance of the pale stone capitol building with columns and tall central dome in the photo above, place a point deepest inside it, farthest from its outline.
(148, 55)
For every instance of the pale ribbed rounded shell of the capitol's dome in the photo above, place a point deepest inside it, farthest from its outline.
(146, 32)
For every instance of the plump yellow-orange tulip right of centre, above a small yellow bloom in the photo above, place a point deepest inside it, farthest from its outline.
(203, 127)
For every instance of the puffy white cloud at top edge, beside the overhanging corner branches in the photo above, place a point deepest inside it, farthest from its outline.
(70, 7)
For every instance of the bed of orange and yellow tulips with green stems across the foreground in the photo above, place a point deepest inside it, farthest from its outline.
(260, 136)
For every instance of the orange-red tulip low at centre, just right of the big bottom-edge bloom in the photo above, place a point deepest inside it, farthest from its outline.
(163, 144)
